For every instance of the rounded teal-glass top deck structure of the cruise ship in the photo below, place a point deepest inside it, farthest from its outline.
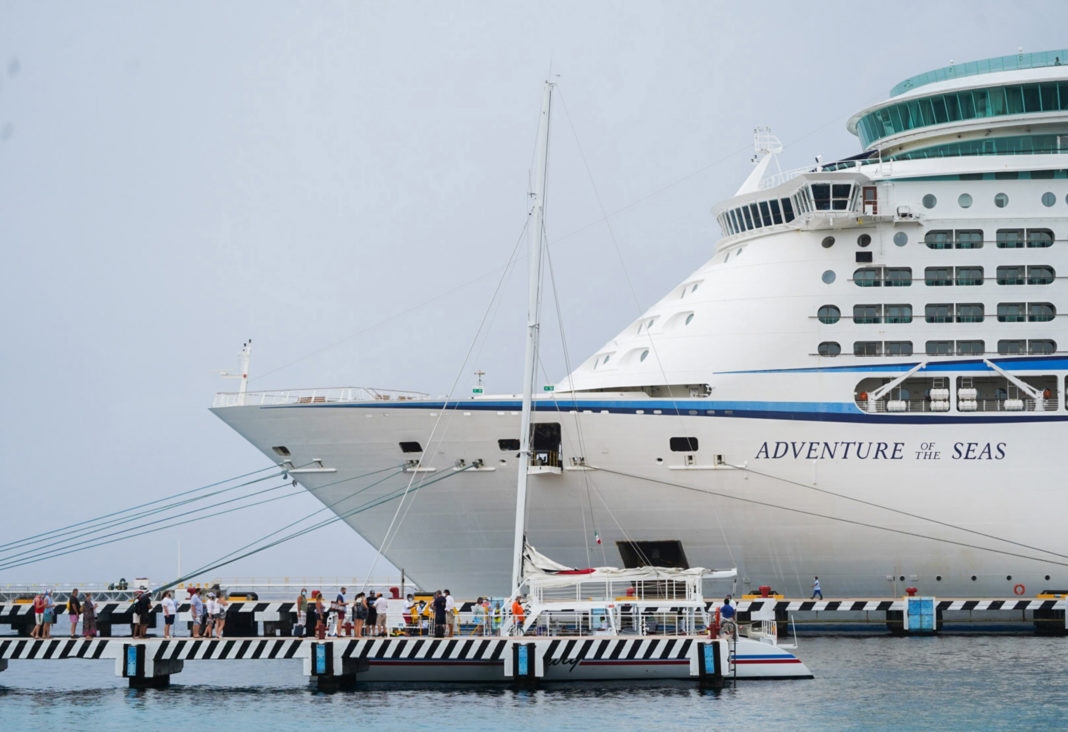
(1010, 105)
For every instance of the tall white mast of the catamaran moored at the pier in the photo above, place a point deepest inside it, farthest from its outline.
(533, 326)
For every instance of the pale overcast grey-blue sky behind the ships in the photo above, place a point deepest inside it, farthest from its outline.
(343, 183)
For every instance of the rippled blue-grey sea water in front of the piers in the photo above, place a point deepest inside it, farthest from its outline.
(950, 682)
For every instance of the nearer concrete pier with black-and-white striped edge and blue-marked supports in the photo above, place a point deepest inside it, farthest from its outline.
(339, 664)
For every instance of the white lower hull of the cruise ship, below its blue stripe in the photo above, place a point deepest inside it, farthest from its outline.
(769, 518)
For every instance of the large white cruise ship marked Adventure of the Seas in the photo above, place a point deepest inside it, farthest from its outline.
(866, 383)
